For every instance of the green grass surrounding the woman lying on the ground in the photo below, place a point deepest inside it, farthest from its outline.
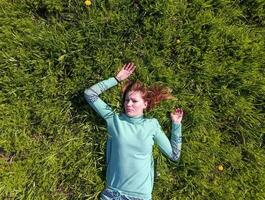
(211, 53)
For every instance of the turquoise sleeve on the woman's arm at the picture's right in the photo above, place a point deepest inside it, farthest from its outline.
(170, 148)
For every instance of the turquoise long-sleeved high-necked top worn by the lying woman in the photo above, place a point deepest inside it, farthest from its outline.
(130, 166)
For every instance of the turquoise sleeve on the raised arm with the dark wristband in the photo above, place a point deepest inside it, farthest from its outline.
(92, 97)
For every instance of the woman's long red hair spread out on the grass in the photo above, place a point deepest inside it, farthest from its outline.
(153, 94)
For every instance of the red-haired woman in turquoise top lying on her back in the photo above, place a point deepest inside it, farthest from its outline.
(130, 165)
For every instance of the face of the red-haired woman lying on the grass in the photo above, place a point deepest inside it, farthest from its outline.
(134, 104)
